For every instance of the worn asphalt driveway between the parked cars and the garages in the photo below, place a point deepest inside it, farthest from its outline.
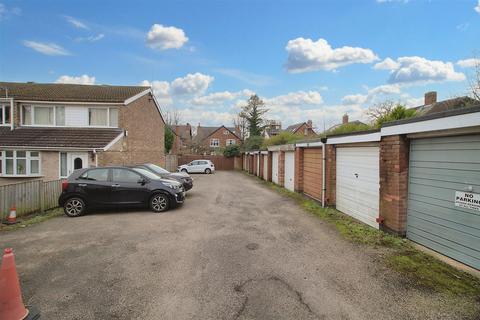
(234, 250)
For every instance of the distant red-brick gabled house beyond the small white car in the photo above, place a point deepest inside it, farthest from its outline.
(209, 140)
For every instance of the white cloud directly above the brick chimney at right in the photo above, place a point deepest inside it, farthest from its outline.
(420, 70)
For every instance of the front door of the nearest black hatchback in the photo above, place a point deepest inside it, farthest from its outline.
(127, 187)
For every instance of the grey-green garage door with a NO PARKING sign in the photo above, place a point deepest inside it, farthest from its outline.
(444, 185)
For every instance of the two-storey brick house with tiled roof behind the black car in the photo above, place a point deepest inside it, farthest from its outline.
(48, 130)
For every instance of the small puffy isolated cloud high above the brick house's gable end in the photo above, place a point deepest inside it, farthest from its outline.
(163, 38)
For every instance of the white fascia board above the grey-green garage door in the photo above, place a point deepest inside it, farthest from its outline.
(453, 122)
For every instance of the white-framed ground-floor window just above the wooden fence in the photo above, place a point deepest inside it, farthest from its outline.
(20, 163)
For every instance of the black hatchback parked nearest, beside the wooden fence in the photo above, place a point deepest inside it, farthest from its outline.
(118, 186)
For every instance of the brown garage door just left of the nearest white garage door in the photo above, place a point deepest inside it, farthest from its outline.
(312, 172)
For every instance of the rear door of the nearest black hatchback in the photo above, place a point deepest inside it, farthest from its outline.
(96, 185)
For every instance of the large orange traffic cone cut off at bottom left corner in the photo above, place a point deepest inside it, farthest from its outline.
(11, 303)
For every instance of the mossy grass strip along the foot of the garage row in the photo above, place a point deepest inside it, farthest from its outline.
(422, 269)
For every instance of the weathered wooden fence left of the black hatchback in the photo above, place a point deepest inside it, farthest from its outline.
(28, 197)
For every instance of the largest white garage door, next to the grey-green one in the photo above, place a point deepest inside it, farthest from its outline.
(358, 183)
